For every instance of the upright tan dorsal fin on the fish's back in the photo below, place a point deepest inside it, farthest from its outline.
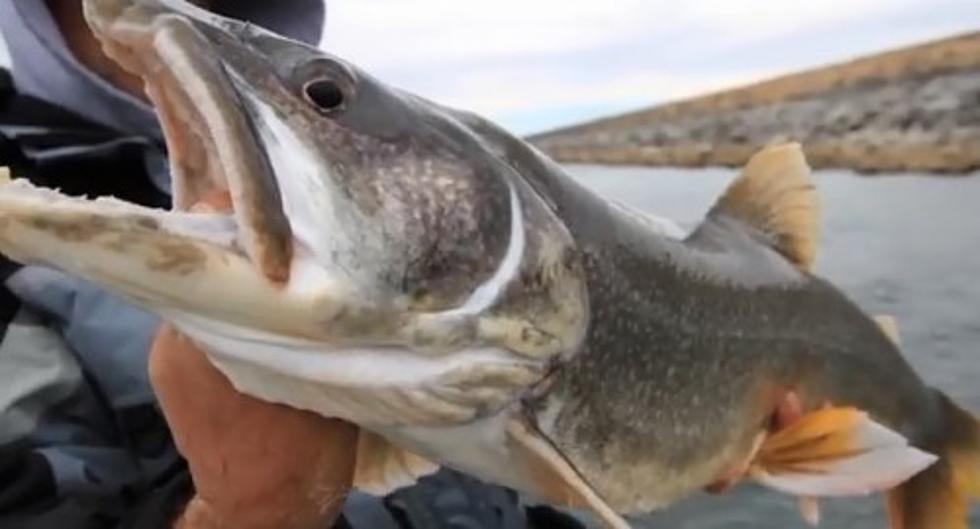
(774, 195)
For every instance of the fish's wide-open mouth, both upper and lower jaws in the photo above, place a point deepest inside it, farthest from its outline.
(242, 258)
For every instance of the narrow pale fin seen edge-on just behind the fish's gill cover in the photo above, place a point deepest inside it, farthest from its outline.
(557, 481)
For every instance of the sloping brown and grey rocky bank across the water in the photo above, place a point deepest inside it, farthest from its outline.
(911, 109)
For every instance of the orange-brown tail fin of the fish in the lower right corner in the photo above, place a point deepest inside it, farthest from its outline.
(938, 498)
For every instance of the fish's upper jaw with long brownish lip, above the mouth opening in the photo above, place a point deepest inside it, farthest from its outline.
(211, 143)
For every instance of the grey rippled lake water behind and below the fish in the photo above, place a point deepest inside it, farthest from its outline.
(908, 246)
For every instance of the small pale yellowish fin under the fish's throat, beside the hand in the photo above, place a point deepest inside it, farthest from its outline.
(382, 467)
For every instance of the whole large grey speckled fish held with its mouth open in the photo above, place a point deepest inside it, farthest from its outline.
(421, 272)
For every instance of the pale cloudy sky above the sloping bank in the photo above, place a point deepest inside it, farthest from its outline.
(533, 65)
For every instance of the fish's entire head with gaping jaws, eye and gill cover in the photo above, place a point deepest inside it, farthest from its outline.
(374, 243)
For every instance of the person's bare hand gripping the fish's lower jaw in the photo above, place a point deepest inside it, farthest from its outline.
(255, 465)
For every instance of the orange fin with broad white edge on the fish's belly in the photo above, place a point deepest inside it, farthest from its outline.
(837, 452)
